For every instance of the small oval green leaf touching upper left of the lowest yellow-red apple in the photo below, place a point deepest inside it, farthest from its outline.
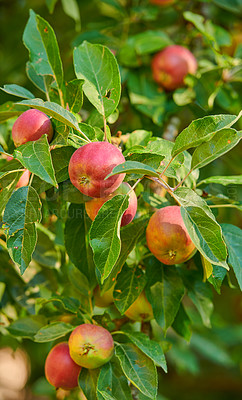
(53, 331)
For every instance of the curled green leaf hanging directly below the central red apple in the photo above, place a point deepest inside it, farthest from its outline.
(105, 234)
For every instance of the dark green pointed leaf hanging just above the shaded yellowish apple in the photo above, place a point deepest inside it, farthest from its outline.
(130, 283)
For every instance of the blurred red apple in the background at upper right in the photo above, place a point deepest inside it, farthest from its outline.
(171, 65)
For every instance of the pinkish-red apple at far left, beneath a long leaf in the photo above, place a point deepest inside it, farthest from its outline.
(30, 126)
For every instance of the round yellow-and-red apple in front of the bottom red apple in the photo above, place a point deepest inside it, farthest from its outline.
(91, 346)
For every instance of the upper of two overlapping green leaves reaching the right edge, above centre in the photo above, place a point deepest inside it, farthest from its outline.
(202, 130)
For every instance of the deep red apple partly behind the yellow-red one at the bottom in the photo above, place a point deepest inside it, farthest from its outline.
(60, 370)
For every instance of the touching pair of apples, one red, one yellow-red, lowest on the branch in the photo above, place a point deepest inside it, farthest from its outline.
(89, 346)
